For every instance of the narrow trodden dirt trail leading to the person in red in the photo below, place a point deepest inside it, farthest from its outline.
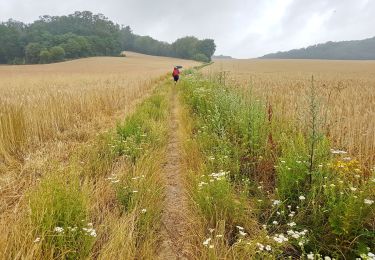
(174, 216)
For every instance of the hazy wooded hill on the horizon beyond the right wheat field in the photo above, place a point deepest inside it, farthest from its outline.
(344, 50)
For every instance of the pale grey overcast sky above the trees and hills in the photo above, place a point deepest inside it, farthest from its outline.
(242, 29)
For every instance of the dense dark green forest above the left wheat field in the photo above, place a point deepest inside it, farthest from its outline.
(84, 34)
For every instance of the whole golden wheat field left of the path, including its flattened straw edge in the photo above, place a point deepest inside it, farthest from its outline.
(48, 111)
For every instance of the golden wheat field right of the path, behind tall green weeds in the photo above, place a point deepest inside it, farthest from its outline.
(346, 94)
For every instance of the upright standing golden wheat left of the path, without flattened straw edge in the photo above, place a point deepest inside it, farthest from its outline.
(41, 102)
